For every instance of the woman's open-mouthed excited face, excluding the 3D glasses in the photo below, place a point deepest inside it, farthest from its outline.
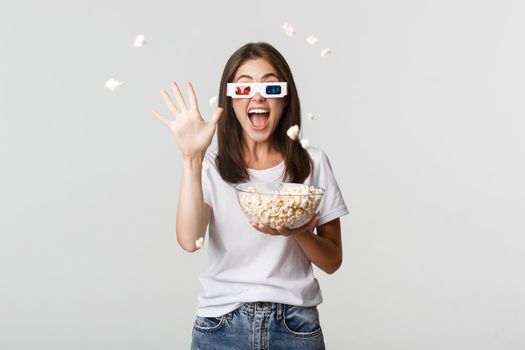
(258, 126)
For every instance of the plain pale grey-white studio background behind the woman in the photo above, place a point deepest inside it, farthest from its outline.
(419, 108)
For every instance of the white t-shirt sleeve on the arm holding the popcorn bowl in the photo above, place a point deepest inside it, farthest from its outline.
(332, 205)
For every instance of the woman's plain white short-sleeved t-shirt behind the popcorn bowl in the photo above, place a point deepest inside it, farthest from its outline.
(247, 265)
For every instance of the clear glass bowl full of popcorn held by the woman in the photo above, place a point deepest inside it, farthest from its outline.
(283, 204)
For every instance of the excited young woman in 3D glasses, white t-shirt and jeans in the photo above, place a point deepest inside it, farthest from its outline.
(259, 291)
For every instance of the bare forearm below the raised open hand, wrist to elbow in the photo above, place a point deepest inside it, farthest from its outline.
(193, 215)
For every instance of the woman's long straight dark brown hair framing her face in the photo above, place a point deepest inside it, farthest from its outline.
(298, 164)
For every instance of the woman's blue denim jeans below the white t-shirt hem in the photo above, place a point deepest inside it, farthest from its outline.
(260, 326)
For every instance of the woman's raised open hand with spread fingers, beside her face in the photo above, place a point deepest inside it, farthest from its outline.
(193, 134)
